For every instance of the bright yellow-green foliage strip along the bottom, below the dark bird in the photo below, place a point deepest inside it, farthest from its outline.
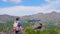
(30, 31)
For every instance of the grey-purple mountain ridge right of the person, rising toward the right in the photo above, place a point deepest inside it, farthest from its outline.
(43, 17)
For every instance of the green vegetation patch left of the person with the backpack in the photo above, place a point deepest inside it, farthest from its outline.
(6, 26)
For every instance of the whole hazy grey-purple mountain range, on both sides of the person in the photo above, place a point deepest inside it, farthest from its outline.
(53, 16)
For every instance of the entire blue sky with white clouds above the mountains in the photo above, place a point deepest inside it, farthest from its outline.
(28, 7)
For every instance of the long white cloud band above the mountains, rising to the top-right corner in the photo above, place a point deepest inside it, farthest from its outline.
(29, 10)
